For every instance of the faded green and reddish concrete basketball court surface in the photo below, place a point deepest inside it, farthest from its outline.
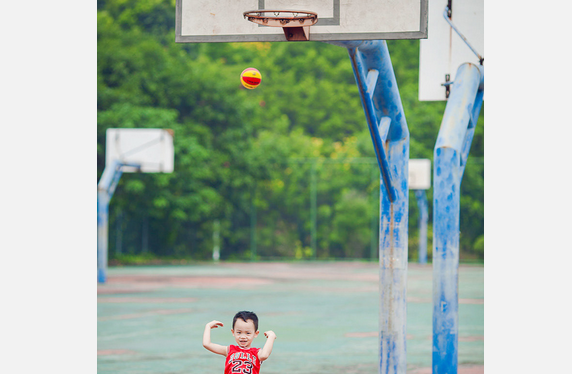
(325, 315)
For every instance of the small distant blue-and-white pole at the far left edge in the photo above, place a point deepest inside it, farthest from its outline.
(105, 189)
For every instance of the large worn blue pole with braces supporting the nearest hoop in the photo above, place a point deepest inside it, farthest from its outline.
(380, 98)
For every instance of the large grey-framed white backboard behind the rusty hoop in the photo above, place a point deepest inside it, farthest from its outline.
(223, 20)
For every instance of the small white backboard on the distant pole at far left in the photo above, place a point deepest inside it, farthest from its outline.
(150, 148)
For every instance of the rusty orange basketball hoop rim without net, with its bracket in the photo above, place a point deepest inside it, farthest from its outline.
(295, 24)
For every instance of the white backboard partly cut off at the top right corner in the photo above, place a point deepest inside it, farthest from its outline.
(444, 50)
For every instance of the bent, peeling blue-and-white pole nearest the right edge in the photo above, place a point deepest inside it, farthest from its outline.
(450, 156)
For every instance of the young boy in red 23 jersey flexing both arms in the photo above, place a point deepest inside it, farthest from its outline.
(241, 358)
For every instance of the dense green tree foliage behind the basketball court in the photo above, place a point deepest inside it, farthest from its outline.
(254, 160)
